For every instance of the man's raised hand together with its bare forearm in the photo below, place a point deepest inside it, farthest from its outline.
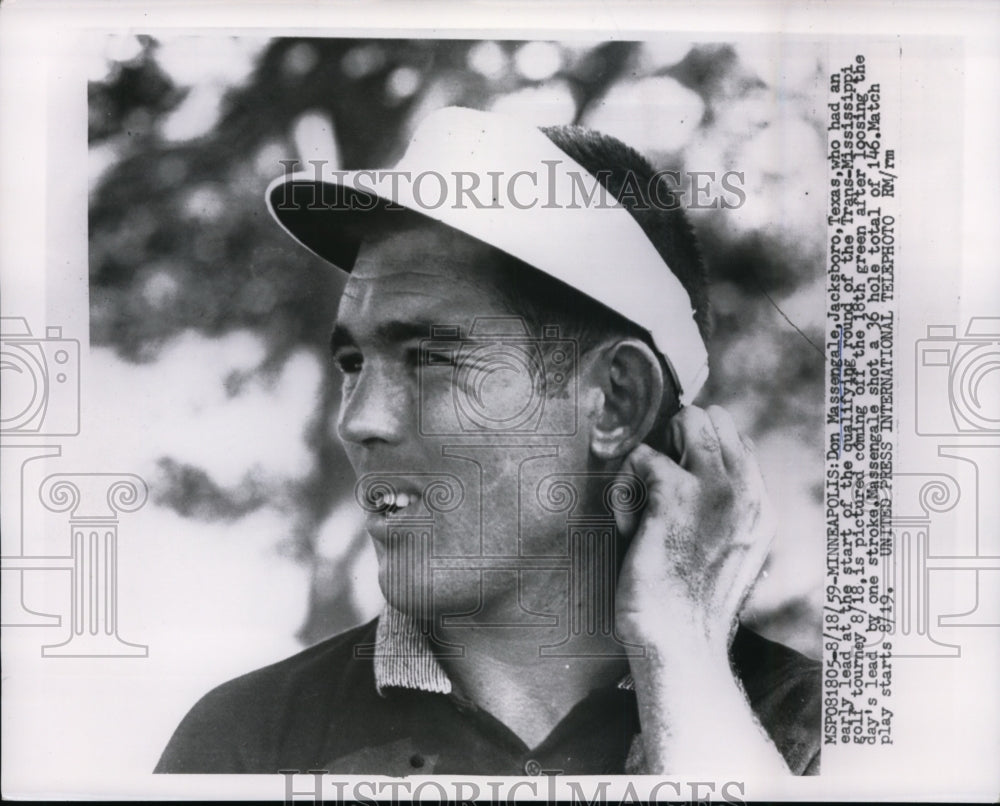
(697, 548)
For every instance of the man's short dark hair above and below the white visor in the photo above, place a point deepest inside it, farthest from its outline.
(543, 300)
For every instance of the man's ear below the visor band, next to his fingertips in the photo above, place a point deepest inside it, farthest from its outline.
(631, 380)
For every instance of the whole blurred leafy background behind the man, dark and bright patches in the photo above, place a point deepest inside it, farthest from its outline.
(209, 326)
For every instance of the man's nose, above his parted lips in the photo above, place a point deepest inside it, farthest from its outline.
(375, 410)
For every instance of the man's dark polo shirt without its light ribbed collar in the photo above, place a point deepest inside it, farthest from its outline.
(321, 710)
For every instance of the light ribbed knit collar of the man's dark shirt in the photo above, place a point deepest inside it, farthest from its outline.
(404, 658)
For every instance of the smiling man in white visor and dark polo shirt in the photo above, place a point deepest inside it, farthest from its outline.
(564, 541)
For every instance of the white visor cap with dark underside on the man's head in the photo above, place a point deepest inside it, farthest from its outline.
(508, 185)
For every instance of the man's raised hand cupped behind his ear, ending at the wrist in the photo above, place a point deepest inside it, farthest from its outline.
(700, 543)
